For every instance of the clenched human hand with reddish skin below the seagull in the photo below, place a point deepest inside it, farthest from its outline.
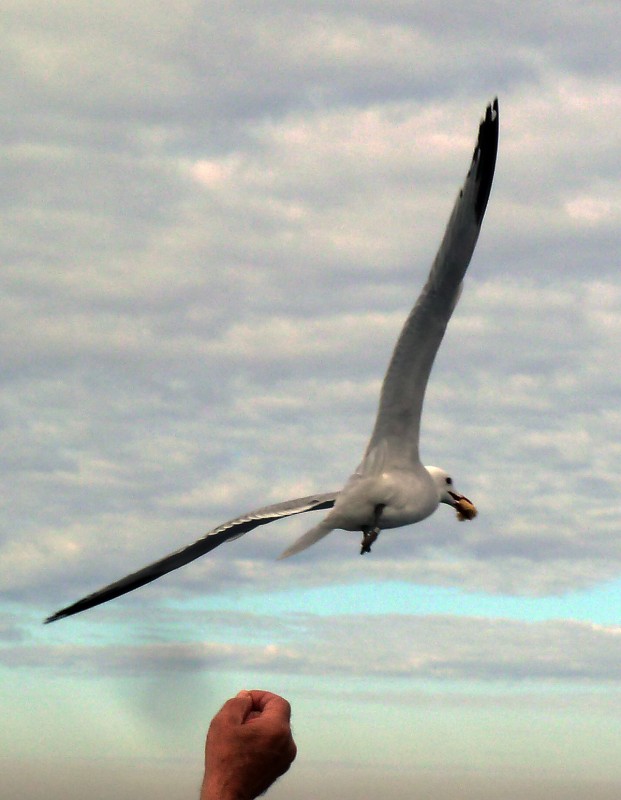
(249, 745)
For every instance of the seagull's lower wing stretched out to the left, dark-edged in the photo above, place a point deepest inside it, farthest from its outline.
(224, 533)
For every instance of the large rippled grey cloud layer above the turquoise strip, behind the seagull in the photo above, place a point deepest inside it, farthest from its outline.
(209, 251)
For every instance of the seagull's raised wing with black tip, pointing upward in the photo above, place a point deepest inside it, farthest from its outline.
(397, 425)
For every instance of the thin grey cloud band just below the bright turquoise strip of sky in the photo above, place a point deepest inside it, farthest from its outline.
(436, 647)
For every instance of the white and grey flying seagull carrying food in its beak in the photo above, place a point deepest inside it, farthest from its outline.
(391, 487)
